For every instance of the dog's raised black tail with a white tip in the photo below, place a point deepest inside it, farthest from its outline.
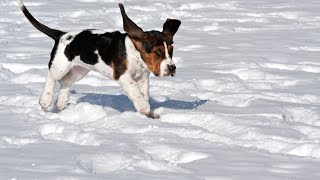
(53, 33)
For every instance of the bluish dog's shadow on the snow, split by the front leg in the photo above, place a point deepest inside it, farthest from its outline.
(122, 103)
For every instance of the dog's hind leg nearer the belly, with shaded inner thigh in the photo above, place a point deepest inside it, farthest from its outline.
(76, 73)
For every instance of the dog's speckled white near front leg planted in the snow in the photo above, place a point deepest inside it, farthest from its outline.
(132, 88)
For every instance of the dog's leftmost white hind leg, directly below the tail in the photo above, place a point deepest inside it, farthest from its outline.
(48, 92)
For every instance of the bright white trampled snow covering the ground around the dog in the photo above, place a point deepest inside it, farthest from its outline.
(245, 103)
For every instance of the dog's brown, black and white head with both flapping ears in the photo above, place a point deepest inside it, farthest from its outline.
(155, 47)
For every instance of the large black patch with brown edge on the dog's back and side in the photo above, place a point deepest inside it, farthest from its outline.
(110, 46)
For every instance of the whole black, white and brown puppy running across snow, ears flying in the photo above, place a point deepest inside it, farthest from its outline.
(127, 58)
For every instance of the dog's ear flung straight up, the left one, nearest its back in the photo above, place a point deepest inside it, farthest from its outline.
(129, 26)
